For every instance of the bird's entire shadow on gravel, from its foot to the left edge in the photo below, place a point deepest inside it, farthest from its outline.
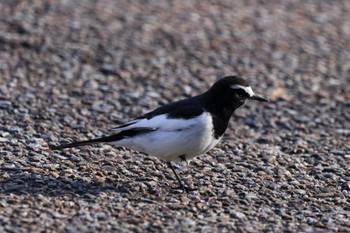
(33, 183)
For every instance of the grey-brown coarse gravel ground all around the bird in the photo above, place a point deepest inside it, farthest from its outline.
(72, 69)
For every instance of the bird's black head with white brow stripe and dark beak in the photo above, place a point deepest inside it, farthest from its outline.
(233, 90)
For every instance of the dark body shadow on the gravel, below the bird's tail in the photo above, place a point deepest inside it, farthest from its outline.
(18, 182)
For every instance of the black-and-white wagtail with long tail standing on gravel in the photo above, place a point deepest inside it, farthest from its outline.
(181, 130)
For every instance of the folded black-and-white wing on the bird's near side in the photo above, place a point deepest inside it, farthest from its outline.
(167, 119)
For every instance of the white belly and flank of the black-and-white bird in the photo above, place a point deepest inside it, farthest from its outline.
(179, 137)
